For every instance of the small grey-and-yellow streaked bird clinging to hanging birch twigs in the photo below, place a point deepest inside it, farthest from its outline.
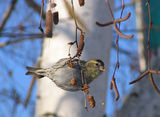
(65, 70)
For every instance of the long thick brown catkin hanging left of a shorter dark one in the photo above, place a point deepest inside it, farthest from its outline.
(49, 24)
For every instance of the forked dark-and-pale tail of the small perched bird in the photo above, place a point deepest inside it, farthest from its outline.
(39, 72)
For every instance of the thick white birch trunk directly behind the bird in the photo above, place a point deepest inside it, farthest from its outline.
(52, 99)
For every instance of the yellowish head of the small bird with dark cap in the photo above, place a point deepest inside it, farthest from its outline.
(94, 67)
